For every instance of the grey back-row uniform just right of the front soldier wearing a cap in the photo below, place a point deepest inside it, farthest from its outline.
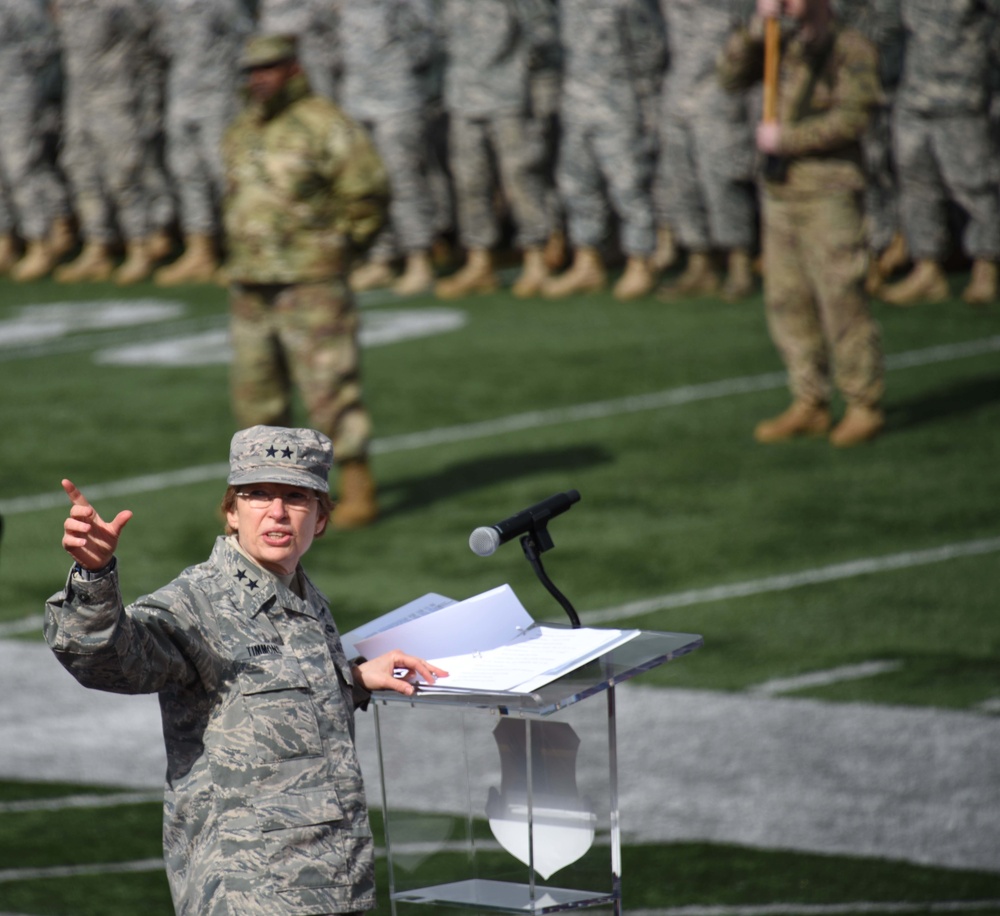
(391, 44)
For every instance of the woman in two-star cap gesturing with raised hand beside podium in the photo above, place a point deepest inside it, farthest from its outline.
(265, 811)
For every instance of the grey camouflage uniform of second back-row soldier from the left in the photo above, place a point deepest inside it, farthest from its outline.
(105, 45)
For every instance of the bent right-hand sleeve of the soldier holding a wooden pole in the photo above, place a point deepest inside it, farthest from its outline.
(856, 93)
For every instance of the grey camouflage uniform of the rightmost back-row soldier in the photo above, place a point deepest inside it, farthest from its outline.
(941, 128)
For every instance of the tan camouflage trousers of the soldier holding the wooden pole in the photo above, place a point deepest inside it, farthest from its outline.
(815, 261)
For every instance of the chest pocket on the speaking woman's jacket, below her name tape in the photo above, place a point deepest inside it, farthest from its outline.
(277, 697)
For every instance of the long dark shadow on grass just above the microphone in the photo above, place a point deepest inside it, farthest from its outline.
(413, 493)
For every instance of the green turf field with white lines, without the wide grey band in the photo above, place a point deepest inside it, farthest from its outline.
(647, 409)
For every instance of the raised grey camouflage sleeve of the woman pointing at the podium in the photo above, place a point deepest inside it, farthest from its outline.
(107, 646)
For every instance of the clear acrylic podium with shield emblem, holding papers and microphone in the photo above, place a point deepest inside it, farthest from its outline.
(521, 812)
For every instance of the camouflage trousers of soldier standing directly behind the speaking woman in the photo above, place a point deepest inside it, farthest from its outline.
(303, 336)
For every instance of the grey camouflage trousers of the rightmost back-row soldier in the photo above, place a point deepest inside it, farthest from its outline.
(941, 158)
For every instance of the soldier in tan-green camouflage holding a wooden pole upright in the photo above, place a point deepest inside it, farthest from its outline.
(814, 245)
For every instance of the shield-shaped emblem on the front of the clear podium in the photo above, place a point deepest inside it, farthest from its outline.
(543, 823)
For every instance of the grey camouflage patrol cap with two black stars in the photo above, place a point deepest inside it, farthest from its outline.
(277, 454)
